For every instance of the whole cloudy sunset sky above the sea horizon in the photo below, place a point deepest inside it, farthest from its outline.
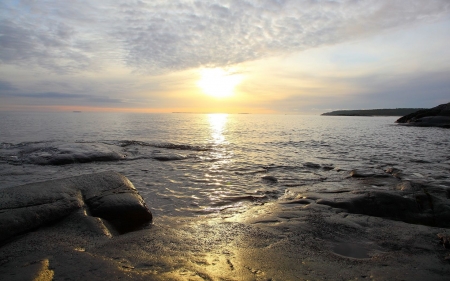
(231, 56)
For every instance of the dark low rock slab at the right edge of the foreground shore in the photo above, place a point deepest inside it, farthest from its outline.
(371, 195)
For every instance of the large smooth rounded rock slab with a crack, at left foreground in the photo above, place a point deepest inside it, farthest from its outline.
(109, 196)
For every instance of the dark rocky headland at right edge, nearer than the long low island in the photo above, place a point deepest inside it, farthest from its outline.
(438, 116)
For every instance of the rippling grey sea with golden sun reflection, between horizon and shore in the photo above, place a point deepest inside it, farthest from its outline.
(194, 164)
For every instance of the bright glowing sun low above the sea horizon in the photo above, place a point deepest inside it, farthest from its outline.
(217, 82)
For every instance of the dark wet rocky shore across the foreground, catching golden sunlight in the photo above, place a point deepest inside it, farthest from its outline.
(368, 225)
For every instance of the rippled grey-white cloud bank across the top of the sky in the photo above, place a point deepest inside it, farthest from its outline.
(158, 36)
